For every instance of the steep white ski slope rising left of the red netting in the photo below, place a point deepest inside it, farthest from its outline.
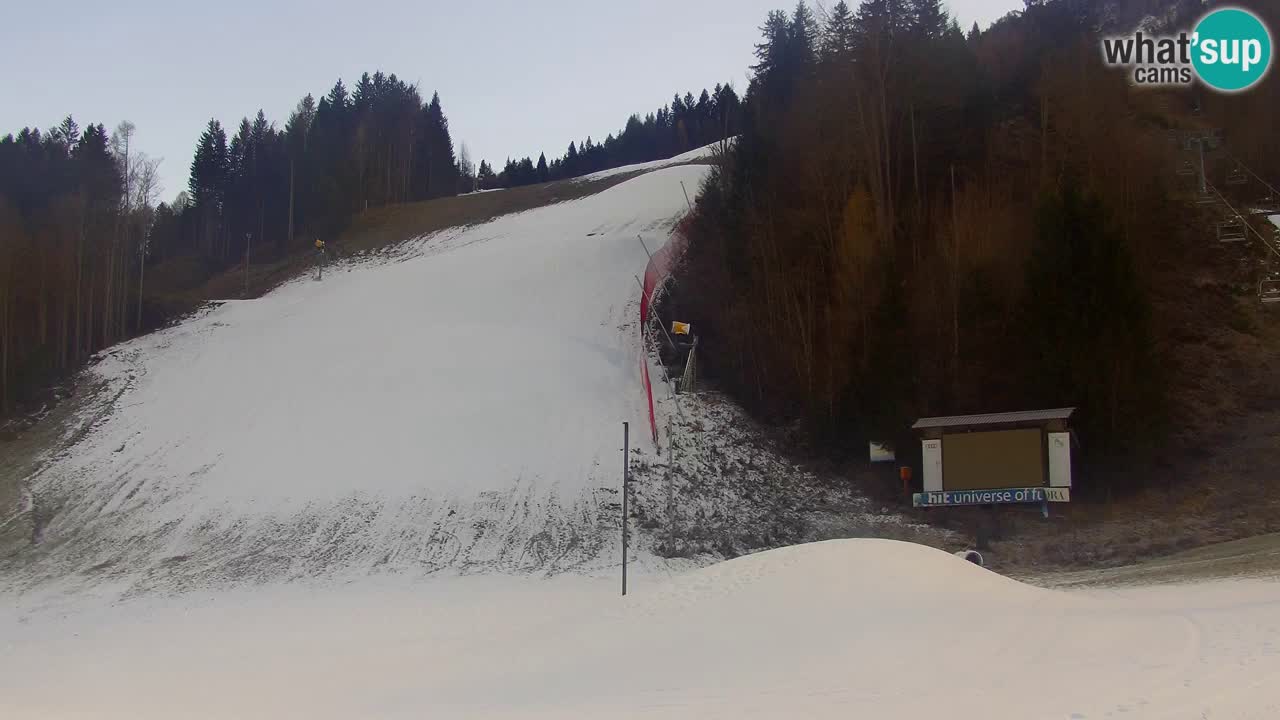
(456, 403)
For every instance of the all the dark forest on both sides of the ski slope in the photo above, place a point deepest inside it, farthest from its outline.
(917, 220)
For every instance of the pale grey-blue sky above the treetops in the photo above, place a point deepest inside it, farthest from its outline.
(515, 78)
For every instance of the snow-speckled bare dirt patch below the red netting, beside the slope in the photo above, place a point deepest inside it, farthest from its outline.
(721, 486)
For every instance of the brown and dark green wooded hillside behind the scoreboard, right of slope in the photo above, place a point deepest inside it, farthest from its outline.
(921, 221)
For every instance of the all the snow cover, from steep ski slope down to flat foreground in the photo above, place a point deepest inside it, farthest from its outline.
(392, 494)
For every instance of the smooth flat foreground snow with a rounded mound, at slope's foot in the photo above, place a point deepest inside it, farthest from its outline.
(839, 630)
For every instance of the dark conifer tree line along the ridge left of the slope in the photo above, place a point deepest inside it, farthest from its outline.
(81, 224)
